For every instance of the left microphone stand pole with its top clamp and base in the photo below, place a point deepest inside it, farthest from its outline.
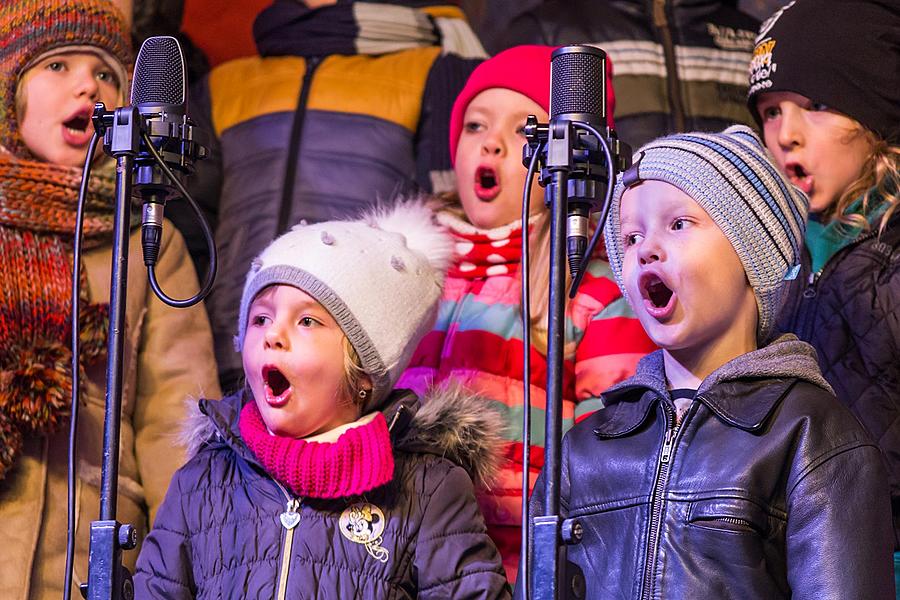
(108, 579)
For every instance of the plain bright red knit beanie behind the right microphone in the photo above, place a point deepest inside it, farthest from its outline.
(523, 69)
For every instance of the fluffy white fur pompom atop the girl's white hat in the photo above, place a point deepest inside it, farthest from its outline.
(415, 220)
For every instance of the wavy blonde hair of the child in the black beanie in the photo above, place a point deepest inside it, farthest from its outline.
(879, 180)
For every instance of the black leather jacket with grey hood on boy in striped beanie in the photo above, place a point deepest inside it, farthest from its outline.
(769, 488)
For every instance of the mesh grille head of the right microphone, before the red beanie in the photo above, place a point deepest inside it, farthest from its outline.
(577, 82)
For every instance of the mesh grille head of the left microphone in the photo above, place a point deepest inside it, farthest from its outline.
(159, 73)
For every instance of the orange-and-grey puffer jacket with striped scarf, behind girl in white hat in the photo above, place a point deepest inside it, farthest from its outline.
(343, 106)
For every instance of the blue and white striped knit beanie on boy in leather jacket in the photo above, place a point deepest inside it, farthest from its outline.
(732, 177)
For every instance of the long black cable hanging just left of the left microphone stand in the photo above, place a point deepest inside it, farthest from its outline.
(76, 332)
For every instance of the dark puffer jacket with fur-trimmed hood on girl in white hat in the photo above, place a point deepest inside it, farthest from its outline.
(219, 533)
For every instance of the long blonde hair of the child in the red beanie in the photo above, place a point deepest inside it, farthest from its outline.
(538, 267)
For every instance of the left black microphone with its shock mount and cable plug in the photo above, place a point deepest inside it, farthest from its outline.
(159, 93)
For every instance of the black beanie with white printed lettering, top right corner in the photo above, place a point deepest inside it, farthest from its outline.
(842, 53)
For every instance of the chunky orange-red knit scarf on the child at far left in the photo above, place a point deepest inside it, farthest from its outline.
(37, 222)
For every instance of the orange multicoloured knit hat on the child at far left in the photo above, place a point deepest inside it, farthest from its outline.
(30, 29)
